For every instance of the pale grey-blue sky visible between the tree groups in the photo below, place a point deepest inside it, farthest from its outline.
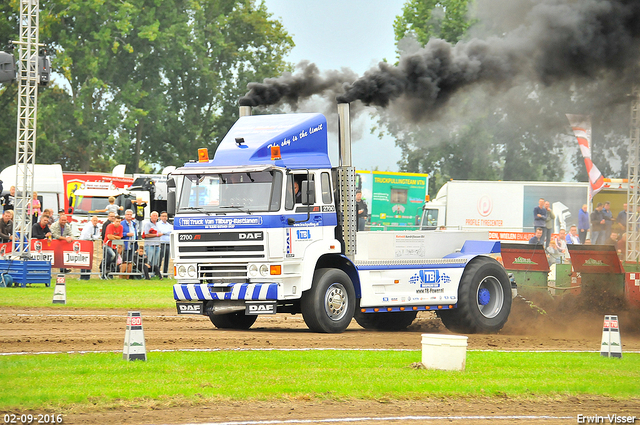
(355, 34)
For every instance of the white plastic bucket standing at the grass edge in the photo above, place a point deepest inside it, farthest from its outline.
(444, 352)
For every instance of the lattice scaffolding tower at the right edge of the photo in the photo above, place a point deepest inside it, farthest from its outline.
(633, 189)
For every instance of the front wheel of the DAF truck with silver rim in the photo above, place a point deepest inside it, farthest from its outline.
(329, 305)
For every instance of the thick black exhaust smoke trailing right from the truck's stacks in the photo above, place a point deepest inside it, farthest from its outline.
(560, 40)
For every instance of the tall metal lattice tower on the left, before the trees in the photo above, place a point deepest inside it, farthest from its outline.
(27, 76)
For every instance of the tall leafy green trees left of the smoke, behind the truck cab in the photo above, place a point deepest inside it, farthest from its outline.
(144, 82)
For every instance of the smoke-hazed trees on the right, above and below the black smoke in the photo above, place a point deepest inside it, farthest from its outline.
(485, 134)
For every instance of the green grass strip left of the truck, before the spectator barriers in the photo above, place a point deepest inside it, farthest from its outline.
(95, 293)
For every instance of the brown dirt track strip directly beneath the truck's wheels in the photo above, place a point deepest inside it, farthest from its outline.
(64, 329)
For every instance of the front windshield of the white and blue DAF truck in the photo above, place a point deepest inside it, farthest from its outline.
(231, 192)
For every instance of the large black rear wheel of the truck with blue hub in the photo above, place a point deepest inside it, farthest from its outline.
(484, 299)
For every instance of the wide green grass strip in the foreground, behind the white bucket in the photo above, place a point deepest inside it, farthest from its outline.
(63, 381)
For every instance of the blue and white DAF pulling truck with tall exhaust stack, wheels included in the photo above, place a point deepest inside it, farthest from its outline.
(269, 226)
